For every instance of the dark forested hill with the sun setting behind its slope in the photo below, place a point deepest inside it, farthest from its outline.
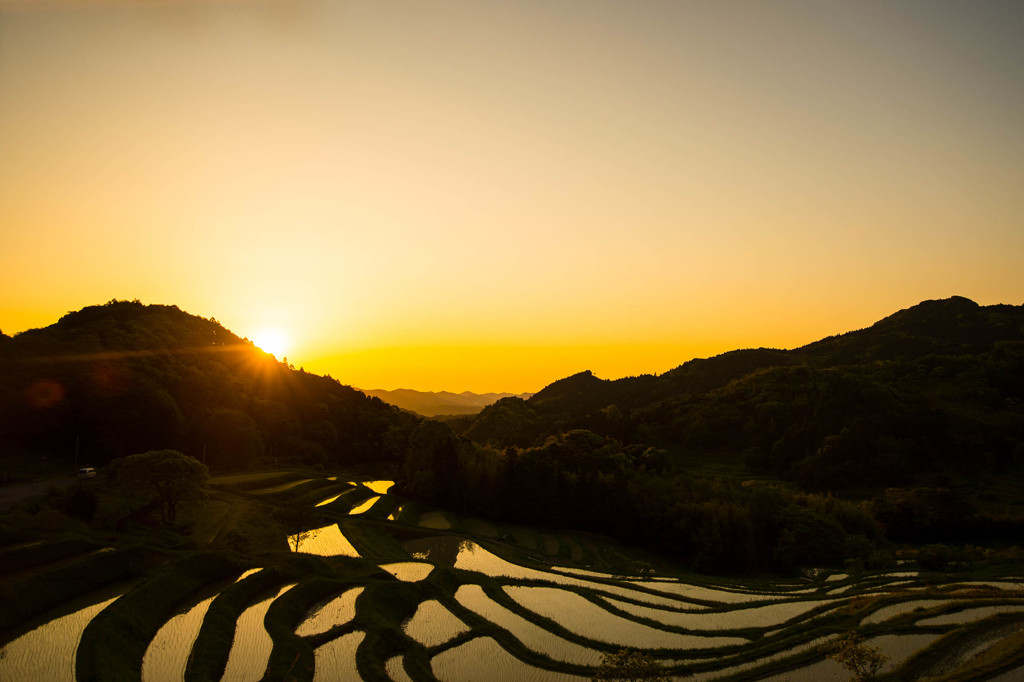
(126, 378)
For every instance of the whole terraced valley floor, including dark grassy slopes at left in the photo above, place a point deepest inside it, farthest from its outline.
(375, 586)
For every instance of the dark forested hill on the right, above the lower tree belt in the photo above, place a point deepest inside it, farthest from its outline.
(936, 389)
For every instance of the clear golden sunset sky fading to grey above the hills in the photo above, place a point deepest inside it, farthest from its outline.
(490, 196)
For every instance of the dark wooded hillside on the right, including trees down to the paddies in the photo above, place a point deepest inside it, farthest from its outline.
(909, 432)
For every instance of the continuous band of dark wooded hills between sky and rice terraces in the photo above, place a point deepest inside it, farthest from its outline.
(909, 433)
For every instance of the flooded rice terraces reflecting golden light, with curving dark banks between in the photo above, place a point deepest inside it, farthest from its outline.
(437, 598)
